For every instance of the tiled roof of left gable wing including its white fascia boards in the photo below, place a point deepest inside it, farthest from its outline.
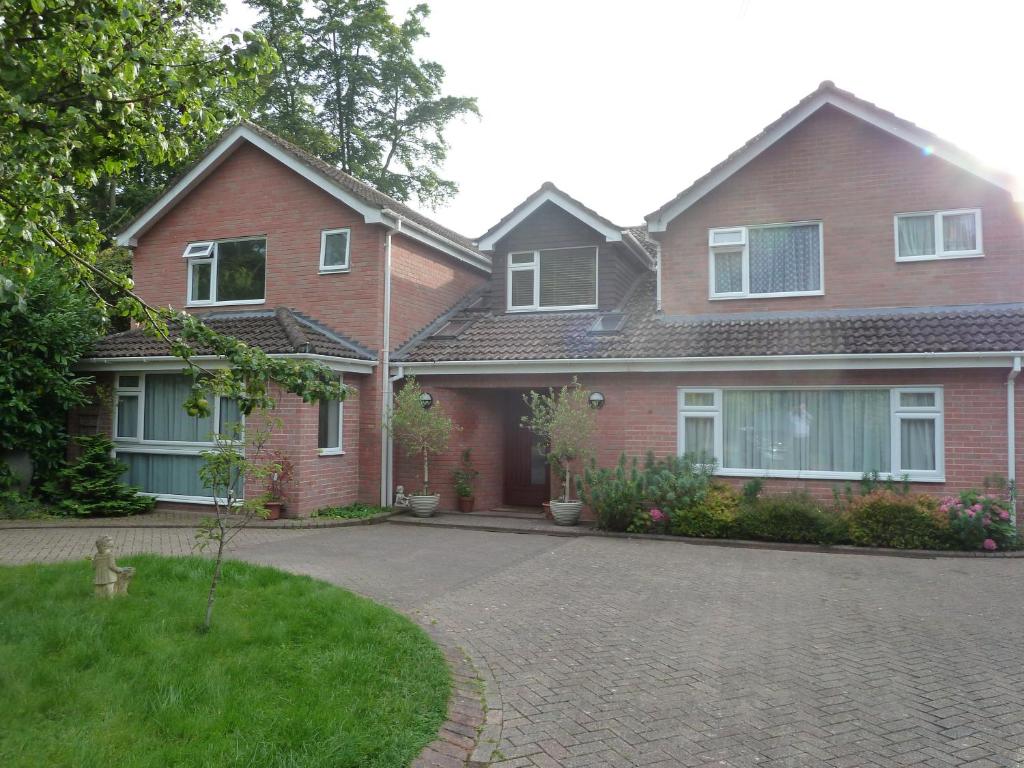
(375, 206)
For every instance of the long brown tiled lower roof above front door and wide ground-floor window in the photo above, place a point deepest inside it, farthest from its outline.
(643, 333)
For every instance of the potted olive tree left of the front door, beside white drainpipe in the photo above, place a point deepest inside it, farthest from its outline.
(422, 431)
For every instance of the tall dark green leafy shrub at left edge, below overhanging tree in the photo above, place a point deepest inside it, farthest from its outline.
(47, 326)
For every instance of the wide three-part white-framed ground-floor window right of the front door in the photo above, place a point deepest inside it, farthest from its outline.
(816, 433)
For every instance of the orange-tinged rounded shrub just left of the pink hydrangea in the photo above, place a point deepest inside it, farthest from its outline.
(884, 519)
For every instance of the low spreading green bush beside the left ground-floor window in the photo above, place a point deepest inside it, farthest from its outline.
(92, 486)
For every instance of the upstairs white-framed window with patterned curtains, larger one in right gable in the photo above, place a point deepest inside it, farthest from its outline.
(766, 262)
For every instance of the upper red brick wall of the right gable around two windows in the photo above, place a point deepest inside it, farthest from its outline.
(854, 178)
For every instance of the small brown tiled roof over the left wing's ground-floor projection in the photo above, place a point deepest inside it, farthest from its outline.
(280, 331)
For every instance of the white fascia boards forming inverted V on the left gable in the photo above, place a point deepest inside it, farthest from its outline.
(371, 215)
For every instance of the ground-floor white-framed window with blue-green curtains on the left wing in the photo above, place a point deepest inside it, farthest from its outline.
(159, 442)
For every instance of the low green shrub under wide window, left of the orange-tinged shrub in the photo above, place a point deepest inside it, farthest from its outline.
(791, 518)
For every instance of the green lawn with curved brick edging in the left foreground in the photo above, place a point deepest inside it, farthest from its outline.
(295, 673)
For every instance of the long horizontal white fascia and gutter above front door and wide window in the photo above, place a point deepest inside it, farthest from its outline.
(687, 365)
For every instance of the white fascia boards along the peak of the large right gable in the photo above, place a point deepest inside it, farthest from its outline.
(898, 129)
